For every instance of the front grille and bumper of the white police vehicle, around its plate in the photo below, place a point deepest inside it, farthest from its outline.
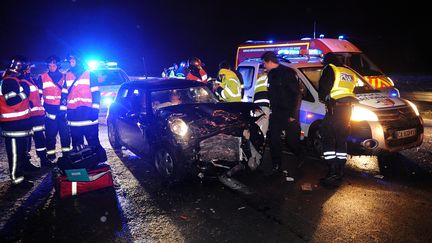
(397, 120)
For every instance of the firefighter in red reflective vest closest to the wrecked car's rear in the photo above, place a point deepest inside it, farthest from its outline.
(82, 103)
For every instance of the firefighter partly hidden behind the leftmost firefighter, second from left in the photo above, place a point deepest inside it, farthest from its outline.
(37, 114)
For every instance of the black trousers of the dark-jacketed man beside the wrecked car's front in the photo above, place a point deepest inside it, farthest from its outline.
(278, 123)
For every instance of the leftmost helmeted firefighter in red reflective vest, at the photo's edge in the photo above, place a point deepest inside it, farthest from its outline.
(15, 120)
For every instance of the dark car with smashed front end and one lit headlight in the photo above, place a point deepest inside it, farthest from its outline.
(184, 130)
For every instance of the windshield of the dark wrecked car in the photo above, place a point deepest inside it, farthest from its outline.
(191, 95)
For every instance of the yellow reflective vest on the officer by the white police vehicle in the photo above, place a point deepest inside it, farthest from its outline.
(344, 83)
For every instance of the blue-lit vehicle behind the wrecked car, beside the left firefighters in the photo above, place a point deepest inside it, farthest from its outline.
(109, 77)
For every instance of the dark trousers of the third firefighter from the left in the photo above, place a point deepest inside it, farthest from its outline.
(54, 125)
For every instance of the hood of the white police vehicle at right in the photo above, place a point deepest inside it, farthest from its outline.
(379, 100)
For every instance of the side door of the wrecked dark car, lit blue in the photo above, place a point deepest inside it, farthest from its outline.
(135, 122)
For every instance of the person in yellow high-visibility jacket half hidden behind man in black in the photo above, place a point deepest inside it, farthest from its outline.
(261, 98)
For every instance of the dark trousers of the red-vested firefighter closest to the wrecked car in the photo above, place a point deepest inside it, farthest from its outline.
(90, 133)
